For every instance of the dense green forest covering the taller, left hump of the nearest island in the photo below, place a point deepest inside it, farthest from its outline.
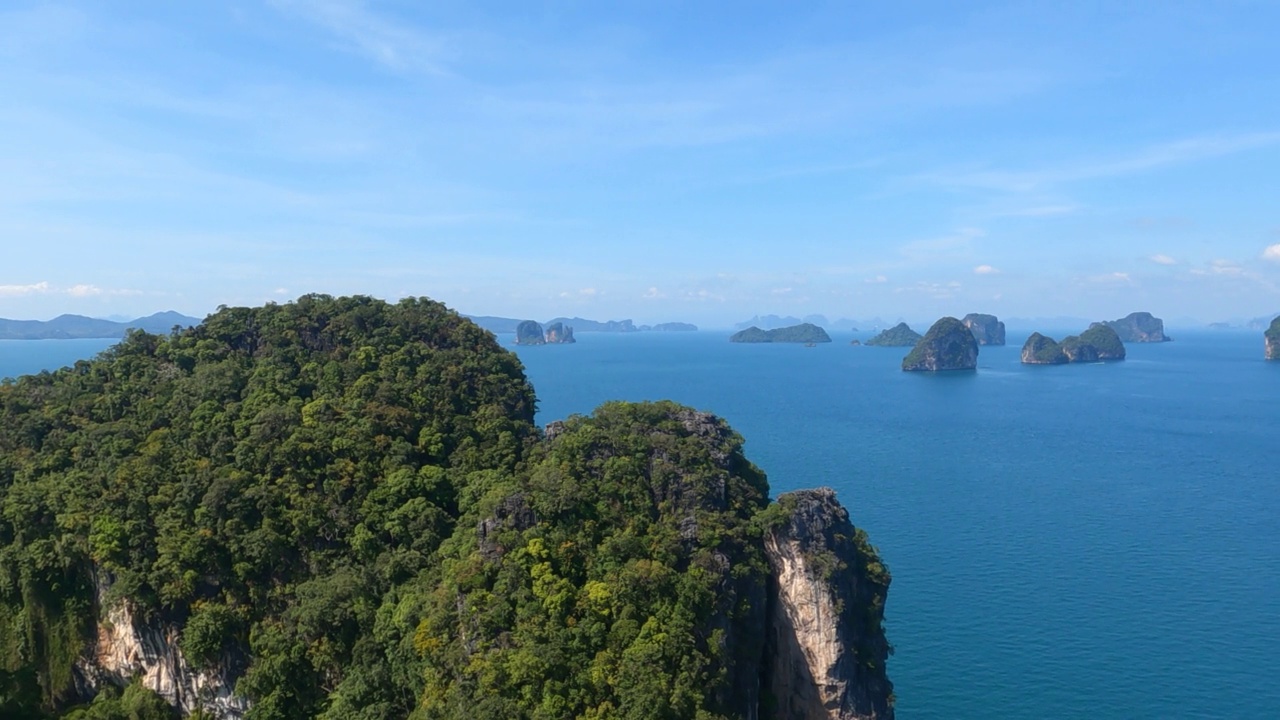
(269, 479)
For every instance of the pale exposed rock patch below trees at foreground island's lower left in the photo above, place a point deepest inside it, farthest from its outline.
(130, 648)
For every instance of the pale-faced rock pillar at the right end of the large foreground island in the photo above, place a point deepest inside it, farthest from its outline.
(828, 649)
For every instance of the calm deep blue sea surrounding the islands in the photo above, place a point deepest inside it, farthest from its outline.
(1075, 541)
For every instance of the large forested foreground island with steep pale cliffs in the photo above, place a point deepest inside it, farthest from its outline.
(341, 508)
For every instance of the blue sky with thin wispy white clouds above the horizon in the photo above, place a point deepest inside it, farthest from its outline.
(651, 161)
